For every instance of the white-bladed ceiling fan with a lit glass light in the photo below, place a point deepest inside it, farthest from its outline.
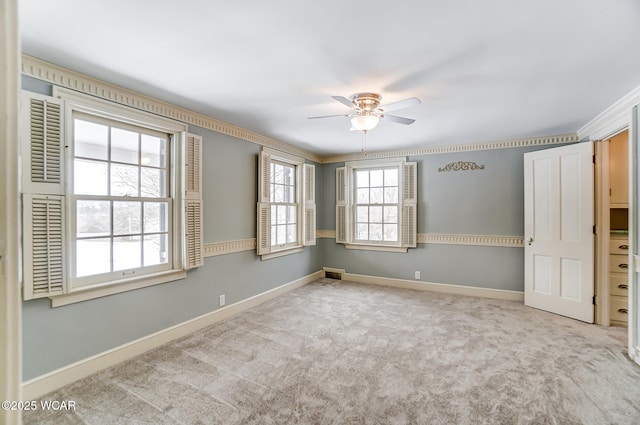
(367, 111)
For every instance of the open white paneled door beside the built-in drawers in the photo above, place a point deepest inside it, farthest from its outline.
(558, 230)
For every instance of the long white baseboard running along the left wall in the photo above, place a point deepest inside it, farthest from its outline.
(41, 385)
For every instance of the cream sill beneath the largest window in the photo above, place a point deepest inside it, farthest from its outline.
(97, 291)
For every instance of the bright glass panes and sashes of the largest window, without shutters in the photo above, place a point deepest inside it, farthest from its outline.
(121, 201)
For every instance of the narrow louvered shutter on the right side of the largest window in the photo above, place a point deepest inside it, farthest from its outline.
(193, 203)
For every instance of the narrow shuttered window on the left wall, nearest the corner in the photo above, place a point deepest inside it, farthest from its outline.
(286, 208)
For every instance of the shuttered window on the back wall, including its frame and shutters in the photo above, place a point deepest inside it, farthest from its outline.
(376, 205)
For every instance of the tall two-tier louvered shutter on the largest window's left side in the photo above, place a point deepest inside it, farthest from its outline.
(43, 199)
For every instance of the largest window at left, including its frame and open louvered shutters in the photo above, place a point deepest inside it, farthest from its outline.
(104, 201)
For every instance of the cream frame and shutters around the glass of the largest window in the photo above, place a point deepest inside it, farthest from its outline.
(185, 180)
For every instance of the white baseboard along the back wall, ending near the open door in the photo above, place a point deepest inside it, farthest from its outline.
(500, 294)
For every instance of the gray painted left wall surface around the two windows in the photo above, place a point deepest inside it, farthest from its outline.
(56, 337)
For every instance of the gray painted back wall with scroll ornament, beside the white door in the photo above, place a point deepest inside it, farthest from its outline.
(481, 202)
